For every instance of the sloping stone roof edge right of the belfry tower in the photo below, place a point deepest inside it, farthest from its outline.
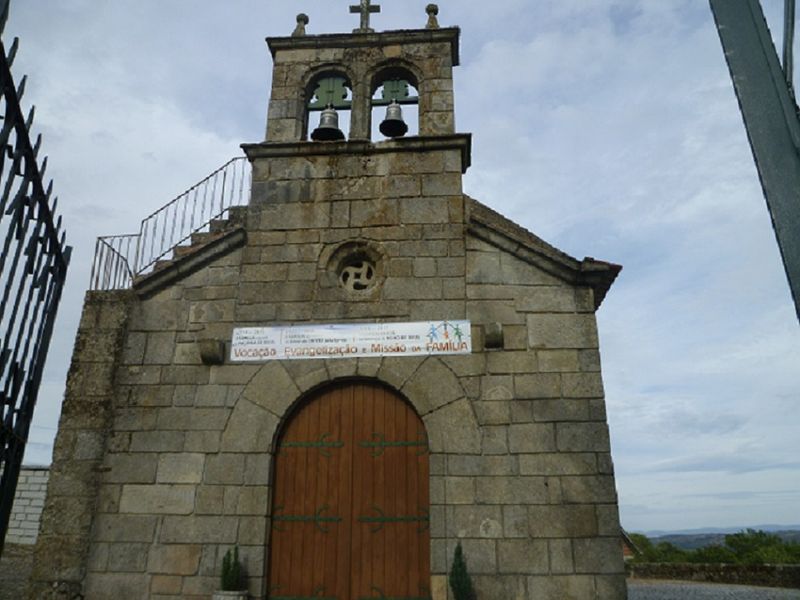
(494, 228)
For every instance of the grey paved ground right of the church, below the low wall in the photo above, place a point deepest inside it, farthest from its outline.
(674, 590)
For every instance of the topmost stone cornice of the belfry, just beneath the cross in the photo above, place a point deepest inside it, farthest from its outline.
(448, 35)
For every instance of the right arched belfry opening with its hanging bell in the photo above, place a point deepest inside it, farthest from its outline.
(395, 104)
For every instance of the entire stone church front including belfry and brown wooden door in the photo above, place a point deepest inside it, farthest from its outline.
(169, 451)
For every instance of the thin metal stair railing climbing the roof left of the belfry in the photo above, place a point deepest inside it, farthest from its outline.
(119, 259)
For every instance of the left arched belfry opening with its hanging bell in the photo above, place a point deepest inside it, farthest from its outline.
(328, 107)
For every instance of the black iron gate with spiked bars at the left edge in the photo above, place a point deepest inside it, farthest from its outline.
(33, 268)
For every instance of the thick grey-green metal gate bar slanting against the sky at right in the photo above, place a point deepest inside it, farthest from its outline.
(770, 117)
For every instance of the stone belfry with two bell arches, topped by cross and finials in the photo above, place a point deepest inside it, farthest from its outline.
(344, 71)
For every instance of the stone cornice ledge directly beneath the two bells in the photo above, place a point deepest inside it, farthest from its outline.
(458, 141)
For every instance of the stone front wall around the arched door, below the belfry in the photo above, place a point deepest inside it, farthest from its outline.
(520, 463)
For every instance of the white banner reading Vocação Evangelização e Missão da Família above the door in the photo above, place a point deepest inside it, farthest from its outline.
(258, 344)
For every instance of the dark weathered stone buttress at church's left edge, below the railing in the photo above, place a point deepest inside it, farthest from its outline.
(60, 557)
